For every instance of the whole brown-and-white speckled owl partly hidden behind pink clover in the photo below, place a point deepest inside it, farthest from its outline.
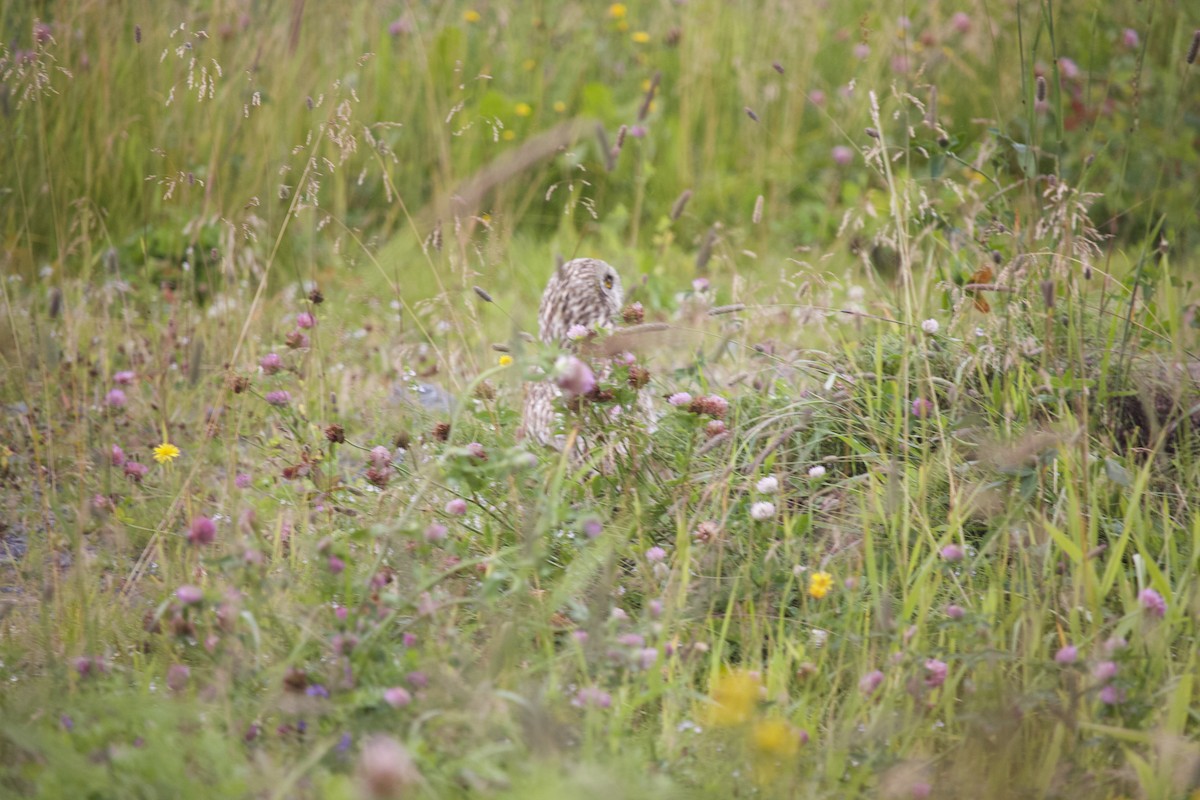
(584, 292)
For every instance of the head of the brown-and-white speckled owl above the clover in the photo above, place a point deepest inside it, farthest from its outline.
(583, 292)
